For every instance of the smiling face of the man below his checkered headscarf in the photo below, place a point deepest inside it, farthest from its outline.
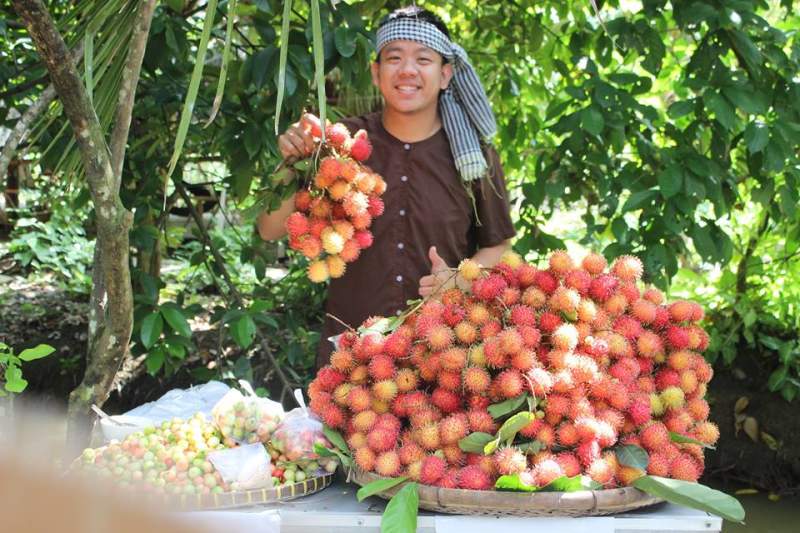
(410, 76)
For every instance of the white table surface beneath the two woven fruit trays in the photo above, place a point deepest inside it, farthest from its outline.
(336, 510)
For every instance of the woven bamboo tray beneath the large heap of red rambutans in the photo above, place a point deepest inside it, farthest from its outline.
(499, 503)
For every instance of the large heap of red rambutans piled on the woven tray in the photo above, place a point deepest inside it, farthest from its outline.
(593, 364)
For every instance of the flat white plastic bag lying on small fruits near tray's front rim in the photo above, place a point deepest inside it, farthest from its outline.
(244, 467)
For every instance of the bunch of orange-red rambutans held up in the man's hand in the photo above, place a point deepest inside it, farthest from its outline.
(334, 213)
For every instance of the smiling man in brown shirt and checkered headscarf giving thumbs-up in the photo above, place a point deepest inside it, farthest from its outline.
(446, 198)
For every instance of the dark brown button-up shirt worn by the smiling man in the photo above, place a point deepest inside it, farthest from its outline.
(426, 205)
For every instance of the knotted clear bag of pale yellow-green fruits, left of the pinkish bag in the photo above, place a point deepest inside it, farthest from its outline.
(246, 418)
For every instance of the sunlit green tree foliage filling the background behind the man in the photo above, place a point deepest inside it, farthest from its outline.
(668, 130)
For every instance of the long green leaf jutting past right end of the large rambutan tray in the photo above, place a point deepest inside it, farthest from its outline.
(692, 495)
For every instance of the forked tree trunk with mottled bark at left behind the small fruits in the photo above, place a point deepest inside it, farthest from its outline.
(111, 305)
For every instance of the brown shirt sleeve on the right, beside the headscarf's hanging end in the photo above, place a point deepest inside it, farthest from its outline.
(493, 224)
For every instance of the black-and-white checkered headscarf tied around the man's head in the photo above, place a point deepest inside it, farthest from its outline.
(466, 114)
